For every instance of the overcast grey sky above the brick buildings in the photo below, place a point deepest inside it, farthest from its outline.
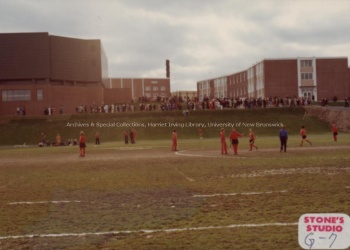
(201, 38)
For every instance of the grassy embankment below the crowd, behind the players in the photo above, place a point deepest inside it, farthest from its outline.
(156, 124)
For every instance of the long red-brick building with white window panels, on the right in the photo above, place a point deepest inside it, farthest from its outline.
(314, 78)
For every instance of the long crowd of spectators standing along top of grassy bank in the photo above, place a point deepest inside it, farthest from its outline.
(178, 103)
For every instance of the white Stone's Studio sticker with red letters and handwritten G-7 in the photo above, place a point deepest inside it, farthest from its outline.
(324, 231)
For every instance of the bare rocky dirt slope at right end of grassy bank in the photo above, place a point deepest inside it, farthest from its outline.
(339, 116)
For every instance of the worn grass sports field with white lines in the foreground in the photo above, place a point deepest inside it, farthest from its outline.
(144, 196)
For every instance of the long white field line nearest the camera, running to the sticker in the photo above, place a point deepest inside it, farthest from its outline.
(149, 231)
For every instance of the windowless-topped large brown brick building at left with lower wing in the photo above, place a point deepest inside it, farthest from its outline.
(38, 70)
